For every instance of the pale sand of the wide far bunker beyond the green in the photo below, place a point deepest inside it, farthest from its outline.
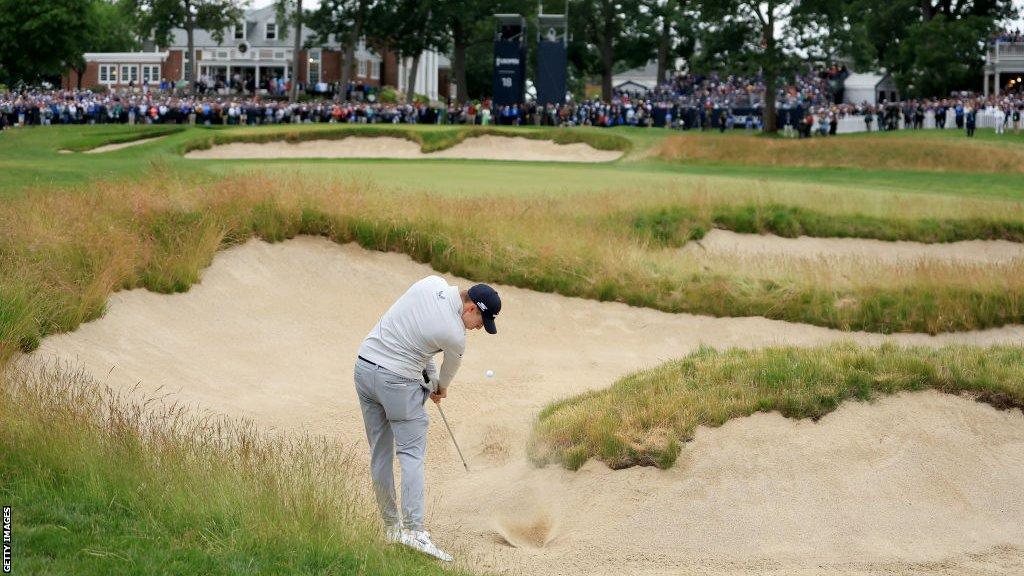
(481, 148)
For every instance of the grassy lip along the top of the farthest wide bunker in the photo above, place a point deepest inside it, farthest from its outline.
(433, 140)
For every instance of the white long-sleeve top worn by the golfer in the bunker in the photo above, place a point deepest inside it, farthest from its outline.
(426, 320)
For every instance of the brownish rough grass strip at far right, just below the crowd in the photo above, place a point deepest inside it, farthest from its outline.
(873, 153)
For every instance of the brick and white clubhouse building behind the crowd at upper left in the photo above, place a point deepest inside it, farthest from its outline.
(254, 53)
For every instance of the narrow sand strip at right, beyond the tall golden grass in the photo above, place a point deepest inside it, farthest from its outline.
(753, 245)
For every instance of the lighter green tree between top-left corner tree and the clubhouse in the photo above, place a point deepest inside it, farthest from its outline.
(109, 28)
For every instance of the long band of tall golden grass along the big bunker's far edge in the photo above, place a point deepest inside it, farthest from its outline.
(65, 253)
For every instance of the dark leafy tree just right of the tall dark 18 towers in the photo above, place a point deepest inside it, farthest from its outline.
(608, 34)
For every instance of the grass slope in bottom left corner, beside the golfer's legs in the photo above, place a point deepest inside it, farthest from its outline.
(106, 484)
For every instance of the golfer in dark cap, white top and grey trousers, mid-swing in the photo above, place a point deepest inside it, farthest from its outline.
(396, 375)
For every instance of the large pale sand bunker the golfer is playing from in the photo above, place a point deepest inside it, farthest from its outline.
(916, 484)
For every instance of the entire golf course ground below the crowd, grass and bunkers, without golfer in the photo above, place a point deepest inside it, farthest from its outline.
(720, 354)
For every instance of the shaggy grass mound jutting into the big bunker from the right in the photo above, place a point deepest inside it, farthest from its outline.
(645, 419)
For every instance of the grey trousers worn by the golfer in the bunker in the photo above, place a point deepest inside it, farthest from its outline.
(396, 422)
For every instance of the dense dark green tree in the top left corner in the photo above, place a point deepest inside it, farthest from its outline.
(38, 42)
